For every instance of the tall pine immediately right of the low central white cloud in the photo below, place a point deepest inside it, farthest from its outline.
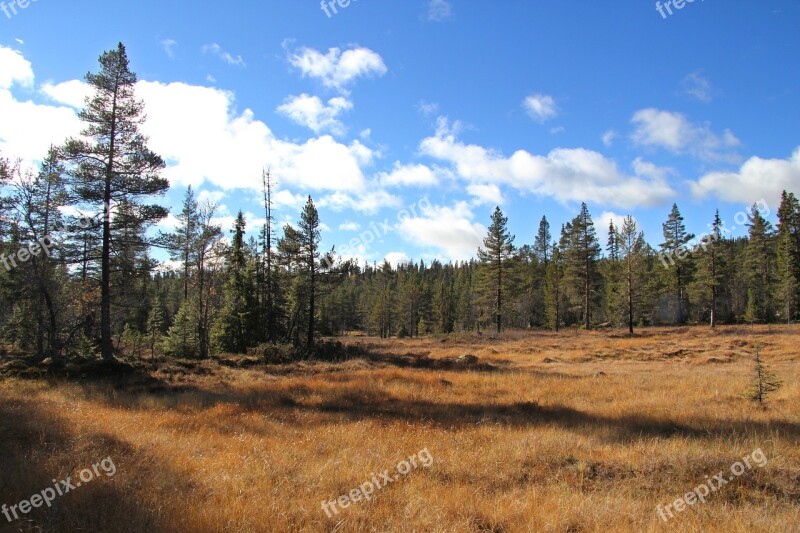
(497, 253)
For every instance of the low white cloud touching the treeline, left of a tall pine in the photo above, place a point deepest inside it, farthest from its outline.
(447, 230)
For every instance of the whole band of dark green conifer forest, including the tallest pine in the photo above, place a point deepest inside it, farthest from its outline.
(78, 277)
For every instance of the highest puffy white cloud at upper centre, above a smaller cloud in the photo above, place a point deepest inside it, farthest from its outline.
(337, 69)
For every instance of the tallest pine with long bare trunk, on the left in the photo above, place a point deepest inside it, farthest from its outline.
(111, 162)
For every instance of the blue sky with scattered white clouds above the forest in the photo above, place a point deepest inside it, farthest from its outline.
(408, 121)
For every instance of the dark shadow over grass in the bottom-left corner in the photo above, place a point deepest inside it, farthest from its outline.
(38, 447)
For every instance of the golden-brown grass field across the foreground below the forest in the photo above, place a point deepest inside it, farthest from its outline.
(569, 432)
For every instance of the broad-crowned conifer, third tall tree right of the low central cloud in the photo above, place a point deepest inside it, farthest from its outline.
(581, 255)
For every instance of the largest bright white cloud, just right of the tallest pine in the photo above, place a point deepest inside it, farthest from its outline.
(192, 142)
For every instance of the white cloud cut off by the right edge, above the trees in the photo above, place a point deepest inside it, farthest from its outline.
(756, 179)
